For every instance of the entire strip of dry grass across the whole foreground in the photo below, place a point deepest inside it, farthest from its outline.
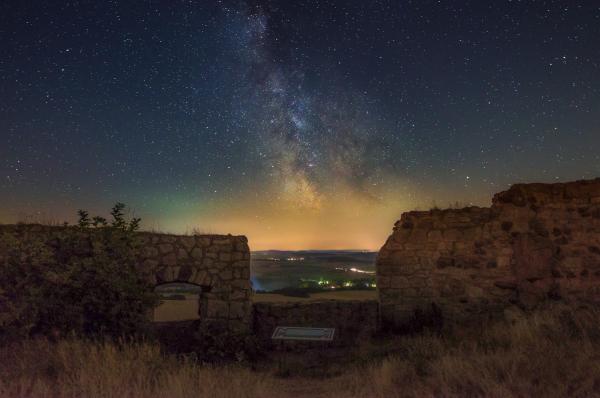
(554, 353)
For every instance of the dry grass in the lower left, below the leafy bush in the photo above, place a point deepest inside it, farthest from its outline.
(73, 368)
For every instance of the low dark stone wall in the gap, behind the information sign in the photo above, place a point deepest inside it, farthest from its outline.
(352, 319)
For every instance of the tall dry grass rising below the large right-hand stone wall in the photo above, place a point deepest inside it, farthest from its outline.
(555, 353)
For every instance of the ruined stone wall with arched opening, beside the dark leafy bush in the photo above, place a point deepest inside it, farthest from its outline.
(218, 263)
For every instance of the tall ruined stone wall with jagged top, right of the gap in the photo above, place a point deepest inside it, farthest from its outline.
(537, 242)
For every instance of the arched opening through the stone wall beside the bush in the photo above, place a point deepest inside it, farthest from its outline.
(179, 301)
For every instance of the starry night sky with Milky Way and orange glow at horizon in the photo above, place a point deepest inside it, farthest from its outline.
(301, 124)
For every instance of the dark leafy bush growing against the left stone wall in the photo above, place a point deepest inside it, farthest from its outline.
(80, 280)
